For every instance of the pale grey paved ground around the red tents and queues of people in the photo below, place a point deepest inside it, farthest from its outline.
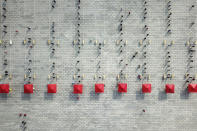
(99, 21)
